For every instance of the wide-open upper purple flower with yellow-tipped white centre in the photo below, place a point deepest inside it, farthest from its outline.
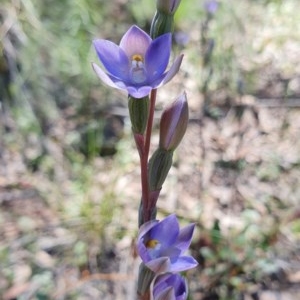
(138, 64)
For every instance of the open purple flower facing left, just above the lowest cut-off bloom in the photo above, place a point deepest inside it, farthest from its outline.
(161, 245)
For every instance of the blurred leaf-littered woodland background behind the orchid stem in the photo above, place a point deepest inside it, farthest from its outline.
(69, 171)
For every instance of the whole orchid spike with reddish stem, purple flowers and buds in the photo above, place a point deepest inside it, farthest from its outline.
(138, 66)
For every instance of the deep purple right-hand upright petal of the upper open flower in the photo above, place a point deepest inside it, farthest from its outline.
(157, 56)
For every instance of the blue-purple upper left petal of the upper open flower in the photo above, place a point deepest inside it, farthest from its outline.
(113, 58)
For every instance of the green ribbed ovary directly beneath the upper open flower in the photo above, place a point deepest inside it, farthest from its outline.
(138, 112)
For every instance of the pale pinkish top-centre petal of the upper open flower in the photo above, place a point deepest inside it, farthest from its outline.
(135, 41)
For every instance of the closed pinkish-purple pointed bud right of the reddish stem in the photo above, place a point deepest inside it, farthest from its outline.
(173, 123)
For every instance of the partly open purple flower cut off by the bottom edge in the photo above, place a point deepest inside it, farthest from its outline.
(170, 287)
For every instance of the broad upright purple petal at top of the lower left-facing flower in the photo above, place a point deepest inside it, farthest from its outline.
(166, 231)
